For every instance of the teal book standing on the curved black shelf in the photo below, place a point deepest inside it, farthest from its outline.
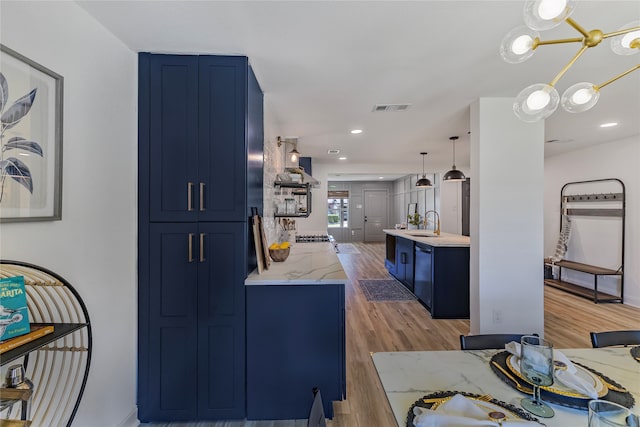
(14, 315)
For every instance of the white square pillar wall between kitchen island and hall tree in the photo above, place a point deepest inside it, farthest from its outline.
(506, 224)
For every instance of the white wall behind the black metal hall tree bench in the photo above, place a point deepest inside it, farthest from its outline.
(618, 159)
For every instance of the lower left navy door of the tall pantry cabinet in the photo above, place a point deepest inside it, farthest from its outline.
(167, 366)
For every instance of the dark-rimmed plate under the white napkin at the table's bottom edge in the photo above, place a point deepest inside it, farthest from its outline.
(434, 400)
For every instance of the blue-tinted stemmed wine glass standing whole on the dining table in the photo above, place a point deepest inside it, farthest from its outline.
(536, 365)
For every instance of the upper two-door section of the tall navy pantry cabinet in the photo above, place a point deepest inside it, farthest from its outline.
(197, 115)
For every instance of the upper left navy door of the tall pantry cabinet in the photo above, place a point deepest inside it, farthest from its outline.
(172, 137)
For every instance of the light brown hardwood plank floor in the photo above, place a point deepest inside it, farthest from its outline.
(405, 326)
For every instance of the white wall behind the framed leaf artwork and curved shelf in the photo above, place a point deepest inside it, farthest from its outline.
(93, 246)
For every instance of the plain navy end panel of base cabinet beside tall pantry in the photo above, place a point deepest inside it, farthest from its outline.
(295, 342)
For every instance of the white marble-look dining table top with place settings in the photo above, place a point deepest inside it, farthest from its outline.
(409, 376)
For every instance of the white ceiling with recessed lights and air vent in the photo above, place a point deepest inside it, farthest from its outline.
(324, 65)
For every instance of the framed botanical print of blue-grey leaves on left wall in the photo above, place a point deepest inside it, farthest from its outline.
(30, 140)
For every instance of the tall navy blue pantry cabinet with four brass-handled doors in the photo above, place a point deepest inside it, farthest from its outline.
(200, 172)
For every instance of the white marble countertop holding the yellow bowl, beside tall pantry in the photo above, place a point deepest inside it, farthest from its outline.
(307, 264)
